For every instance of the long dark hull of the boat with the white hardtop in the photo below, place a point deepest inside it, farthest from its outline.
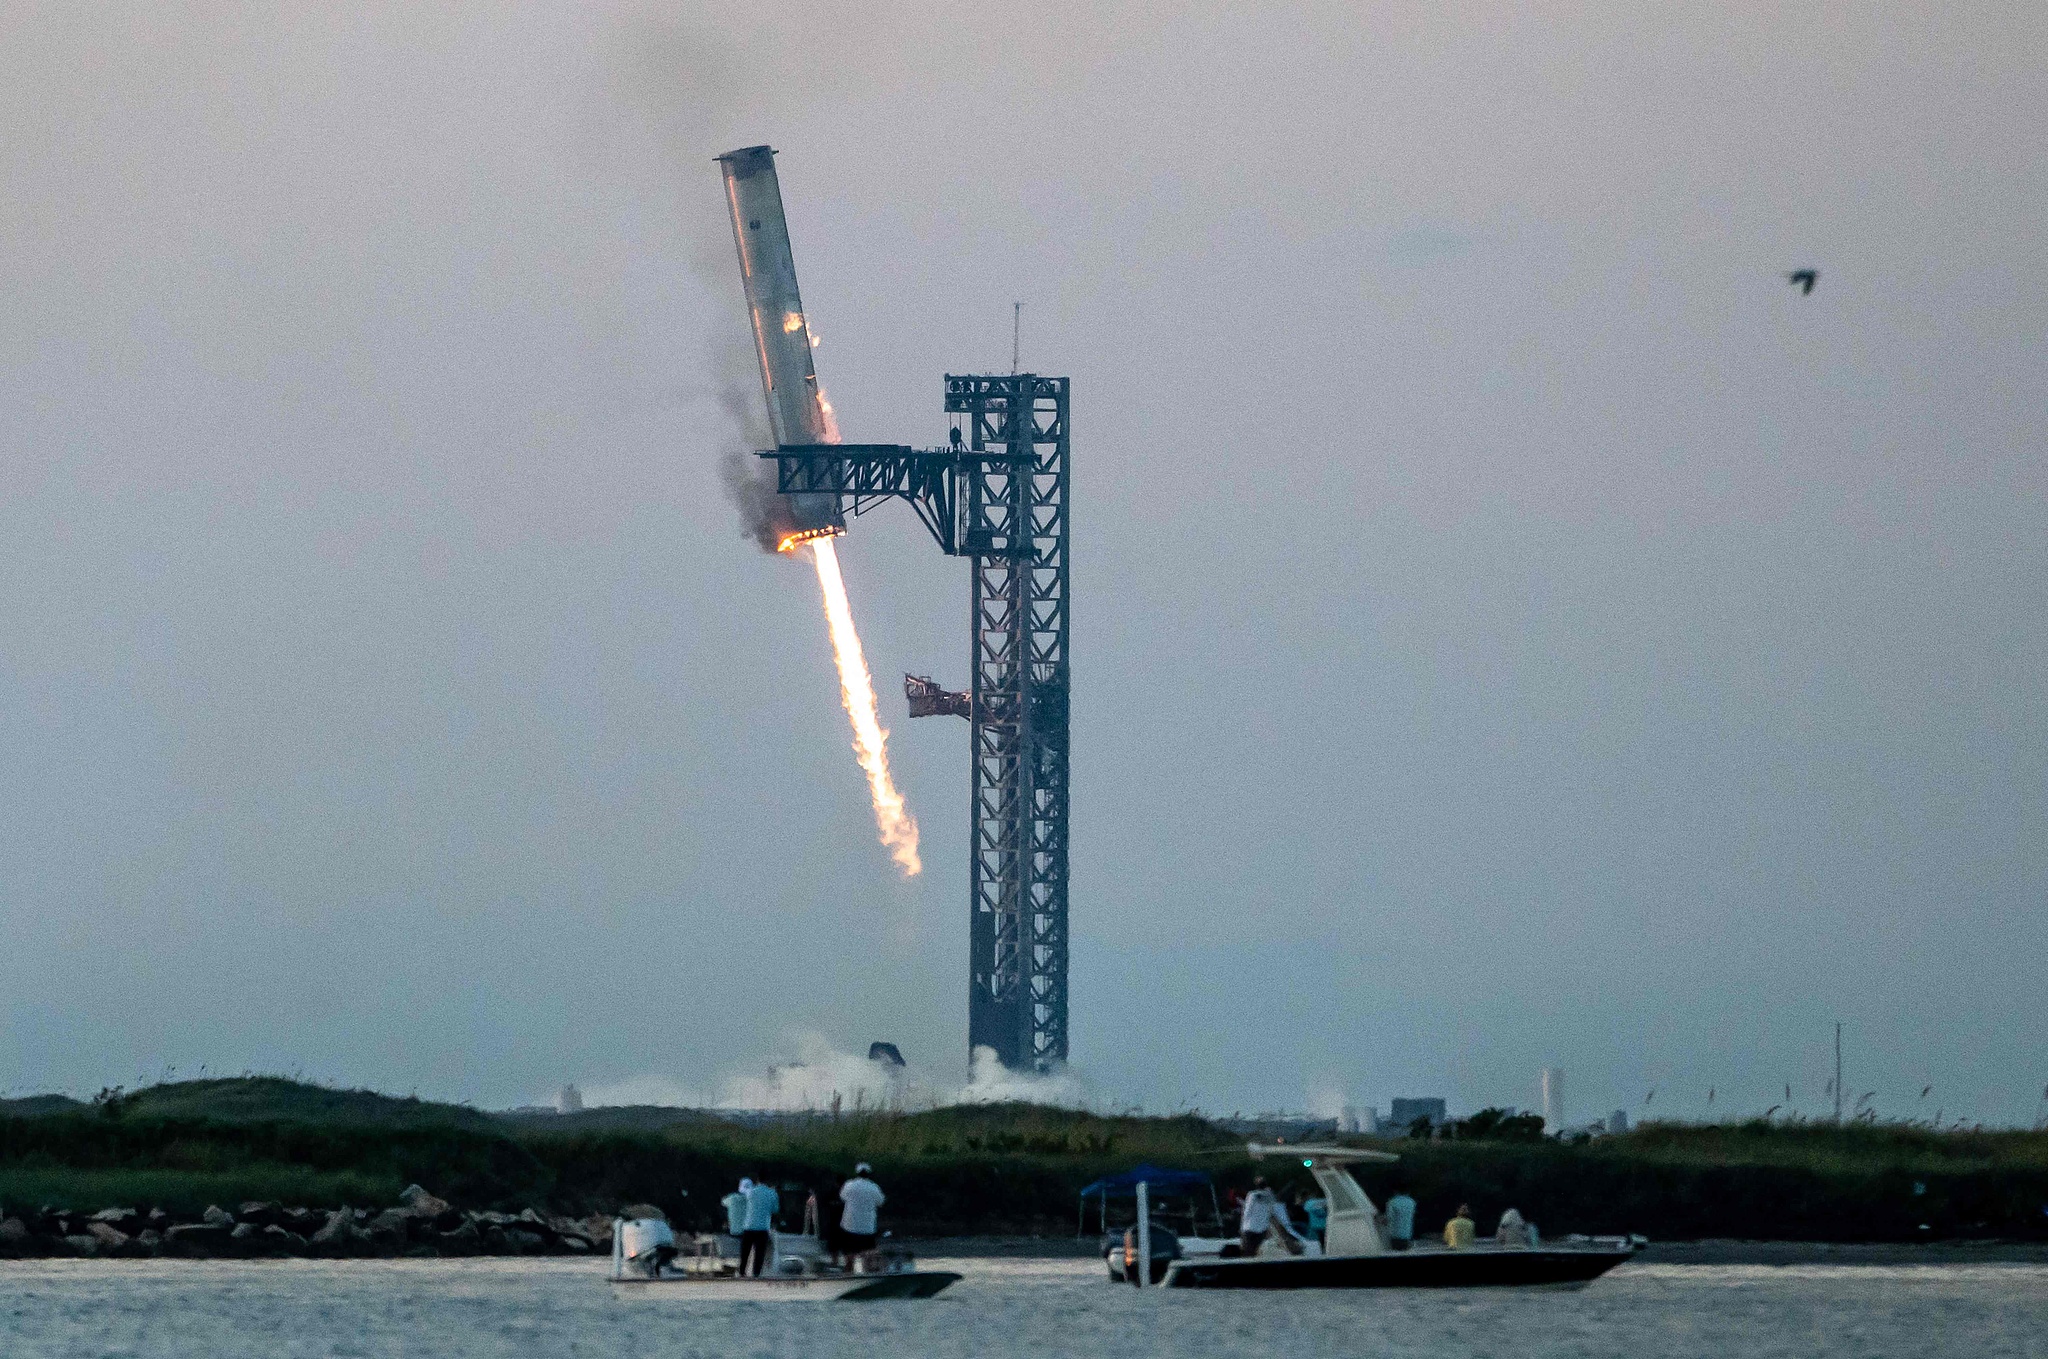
(1404, 1270)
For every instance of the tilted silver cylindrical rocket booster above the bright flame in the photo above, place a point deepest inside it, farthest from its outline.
(798, 408)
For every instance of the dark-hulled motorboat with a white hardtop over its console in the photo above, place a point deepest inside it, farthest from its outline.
(1355, 1252)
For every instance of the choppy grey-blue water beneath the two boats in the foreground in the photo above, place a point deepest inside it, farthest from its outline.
(554, 1309)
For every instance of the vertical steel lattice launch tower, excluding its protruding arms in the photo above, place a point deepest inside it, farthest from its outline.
(1015, 527)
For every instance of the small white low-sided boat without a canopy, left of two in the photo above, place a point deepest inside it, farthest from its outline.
(650, 1264)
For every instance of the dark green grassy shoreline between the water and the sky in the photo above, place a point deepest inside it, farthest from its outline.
(994, 1170)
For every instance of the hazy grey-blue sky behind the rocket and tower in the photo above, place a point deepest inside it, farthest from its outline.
(1512, 627)
